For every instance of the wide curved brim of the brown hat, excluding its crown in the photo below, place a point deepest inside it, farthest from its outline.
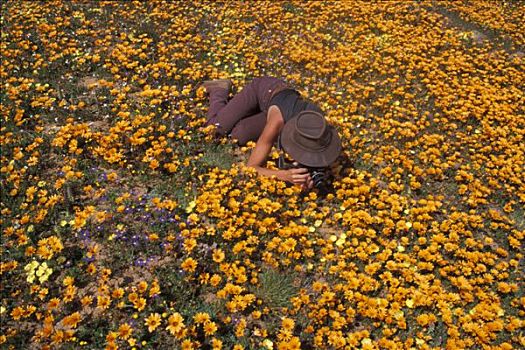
(312, 158)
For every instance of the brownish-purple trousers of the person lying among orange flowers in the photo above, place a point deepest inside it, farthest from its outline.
(244, 116)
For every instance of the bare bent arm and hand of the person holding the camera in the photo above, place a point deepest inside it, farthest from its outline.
(263, 147)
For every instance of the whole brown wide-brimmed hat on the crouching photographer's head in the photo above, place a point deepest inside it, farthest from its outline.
(310, 140)
